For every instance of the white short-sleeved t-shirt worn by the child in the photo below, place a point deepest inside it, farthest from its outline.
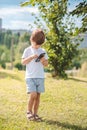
(34, 69)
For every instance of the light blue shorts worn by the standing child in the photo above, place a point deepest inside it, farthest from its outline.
(35, 85)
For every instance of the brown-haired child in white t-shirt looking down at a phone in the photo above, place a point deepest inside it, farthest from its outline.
(34, 72)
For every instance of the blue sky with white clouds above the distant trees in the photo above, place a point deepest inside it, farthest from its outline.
(16, 17)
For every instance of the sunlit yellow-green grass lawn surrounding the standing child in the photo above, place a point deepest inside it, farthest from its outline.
(63, 105)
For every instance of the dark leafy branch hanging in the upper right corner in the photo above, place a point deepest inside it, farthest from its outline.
(81, 10)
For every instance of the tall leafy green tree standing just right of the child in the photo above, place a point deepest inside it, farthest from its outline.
(60, 48)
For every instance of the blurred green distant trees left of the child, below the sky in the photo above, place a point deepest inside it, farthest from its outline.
(12, 45)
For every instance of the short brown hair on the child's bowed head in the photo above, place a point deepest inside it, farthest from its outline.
(38, 37)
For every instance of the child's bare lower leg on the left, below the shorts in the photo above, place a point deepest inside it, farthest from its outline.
(32, 98)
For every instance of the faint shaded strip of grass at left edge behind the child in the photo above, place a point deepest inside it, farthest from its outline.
(6, 75)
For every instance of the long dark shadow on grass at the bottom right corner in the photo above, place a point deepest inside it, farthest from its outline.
(65, 125)
